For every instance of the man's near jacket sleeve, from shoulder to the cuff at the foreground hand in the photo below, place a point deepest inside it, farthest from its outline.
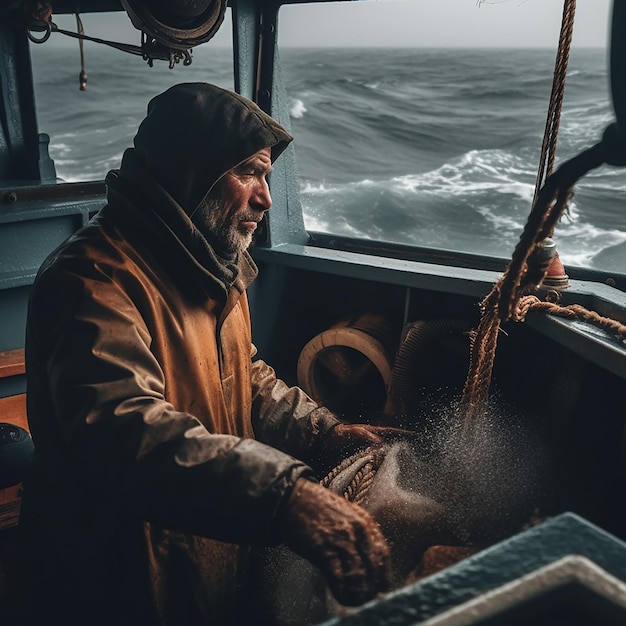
(96, 394)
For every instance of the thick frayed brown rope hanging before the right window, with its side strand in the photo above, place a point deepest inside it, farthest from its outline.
(509, 298)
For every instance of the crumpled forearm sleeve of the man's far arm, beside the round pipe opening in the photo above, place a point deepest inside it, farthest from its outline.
(286, 417)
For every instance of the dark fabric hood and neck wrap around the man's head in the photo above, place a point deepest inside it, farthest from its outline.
(192, 135)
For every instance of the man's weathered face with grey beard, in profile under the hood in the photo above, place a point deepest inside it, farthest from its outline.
(241, 198)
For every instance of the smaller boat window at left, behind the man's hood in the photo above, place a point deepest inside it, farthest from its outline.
(89, 130)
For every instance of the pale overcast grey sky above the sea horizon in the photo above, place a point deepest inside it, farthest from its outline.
(517, 23)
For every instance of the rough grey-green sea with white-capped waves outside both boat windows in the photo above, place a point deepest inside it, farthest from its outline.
(426, 147)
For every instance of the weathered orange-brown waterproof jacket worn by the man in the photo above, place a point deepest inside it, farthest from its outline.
(161, 445)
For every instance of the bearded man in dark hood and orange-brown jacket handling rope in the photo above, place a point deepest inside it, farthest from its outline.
(163, 447)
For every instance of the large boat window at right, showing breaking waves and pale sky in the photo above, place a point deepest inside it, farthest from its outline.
(421, 123)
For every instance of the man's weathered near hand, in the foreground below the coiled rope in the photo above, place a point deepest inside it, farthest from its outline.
(341, 539)
